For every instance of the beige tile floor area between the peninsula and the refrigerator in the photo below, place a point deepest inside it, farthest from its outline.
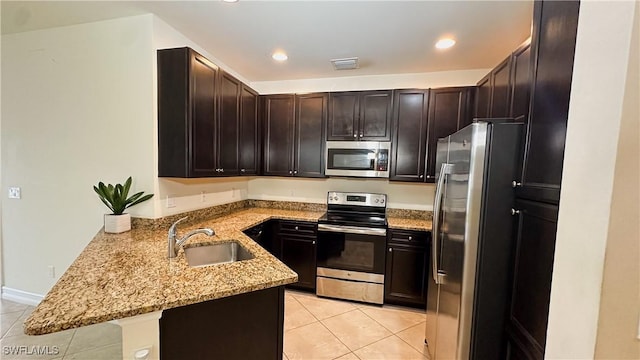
(318, 328)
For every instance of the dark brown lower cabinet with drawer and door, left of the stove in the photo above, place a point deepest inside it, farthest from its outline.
(298, 251)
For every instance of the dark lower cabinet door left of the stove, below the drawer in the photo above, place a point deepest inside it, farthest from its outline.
(300, 255)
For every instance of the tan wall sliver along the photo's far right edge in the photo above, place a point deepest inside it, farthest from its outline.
(620, 301)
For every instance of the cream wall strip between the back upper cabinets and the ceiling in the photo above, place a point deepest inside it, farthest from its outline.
(373, 82)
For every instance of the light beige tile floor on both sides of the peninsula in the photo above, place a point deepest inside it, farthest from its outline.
(315, 329)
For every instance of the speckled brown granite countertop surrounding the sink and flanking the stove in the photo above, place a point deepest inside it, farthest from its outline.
(123, 275)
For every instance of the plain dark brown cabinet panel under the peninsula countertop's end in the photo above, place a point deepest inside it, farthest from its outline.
(245, 326)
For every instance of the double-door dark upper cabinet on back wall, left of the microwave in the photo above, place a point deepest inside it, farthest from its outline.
(294, 134)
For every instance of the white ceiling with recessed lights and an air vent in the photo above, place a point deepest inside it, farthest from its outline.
(389, 37)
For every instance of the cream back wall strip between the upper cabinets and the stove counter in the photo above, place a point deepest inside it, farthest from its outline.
(400, 195)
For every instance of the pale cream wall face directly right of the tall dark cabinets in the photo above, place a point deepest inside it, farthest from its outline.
(595, 112)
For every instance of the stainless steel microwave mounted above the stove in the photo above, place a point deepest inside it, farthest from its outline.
(358, 158)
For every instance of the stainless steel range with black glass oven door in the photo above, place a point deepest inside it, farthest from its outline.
(351, 247)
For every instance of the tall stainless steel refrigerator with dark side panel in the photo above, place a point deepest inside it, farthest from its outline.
(472, 240)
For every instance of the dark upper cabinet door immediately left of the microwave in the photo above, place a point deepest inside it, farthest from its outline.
(310, 123)
